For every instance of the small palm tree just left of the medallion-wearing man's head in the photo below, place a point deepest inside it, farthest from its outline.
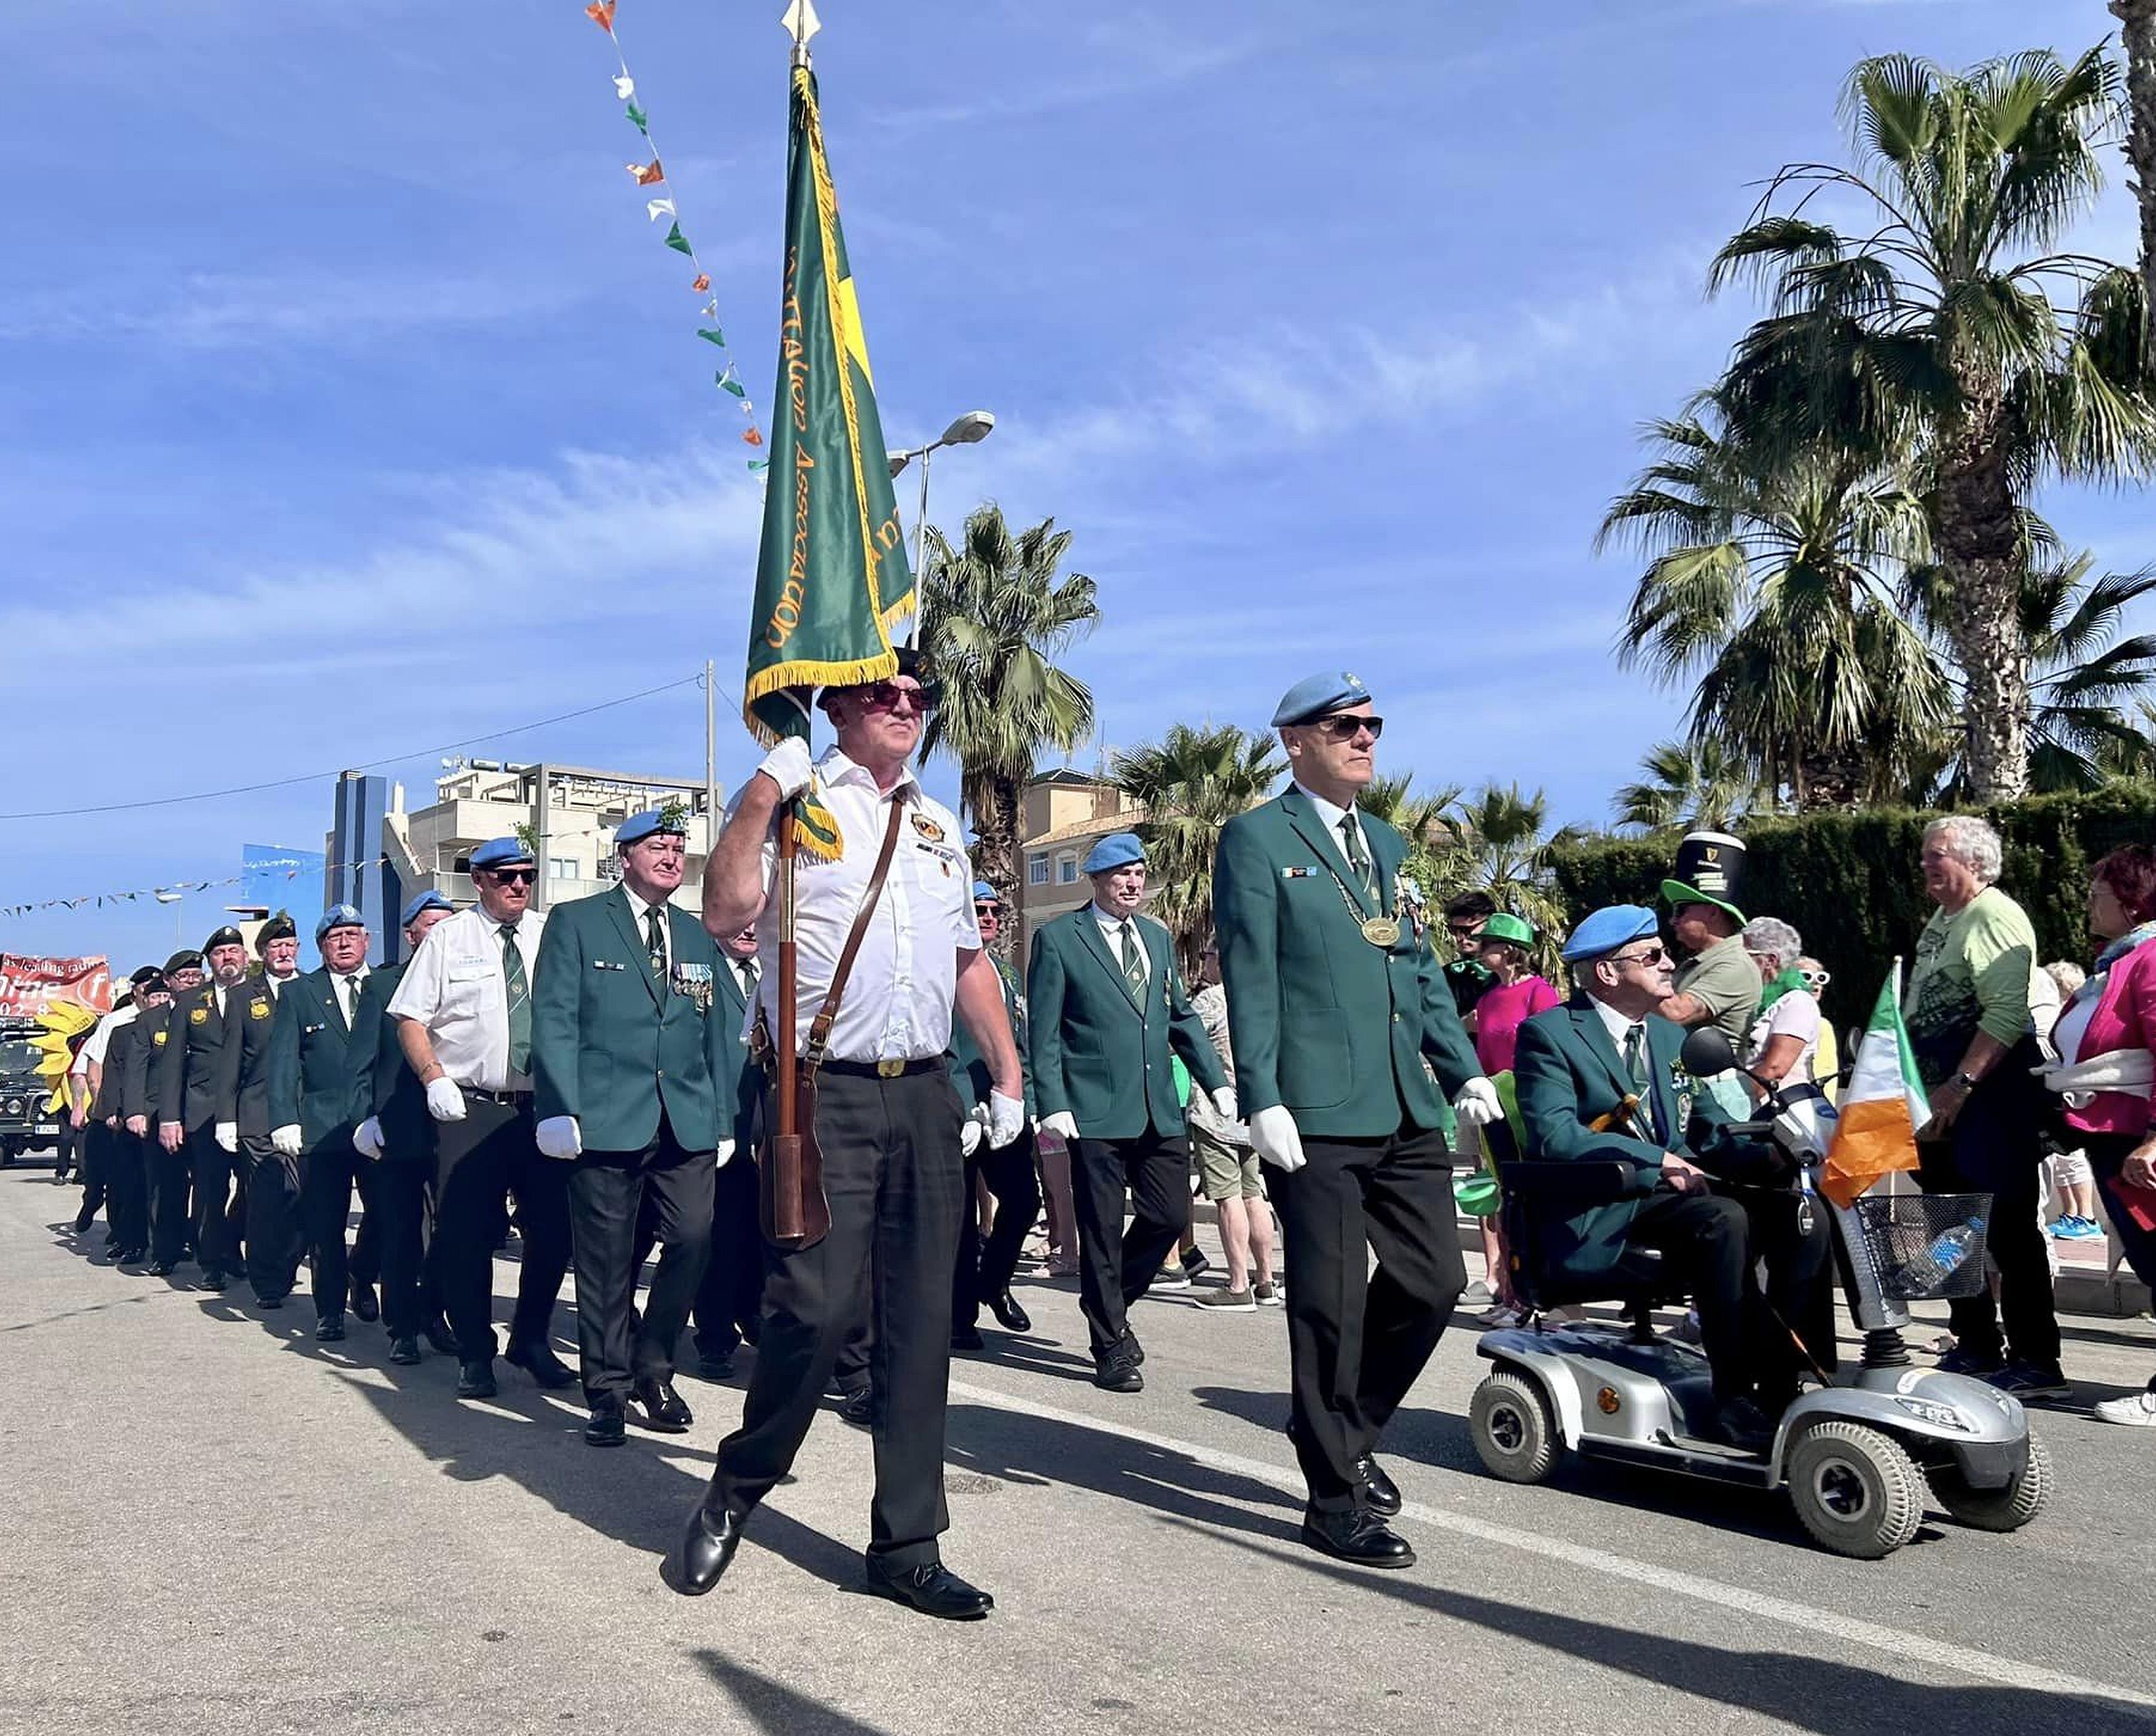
(1191, 784)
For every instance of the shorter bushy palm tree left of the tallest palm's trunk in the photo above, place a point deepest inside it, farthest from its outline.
(1771, 583)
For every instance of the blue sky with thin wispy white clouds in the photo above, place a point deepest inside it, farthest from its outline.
(350, 407)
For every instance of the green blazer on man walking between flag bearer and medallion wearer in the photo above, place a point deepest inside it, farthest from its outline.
(1096, 1053)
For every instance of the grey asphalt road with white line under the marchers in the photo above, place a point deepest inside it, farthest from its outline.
(215, 1524)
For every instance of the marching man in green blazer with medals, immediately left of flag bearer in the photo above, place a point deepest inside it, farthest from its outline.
(622, 1086)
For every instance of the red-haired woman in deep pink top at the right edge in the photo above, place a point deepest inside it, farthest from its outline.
(2107, 1071)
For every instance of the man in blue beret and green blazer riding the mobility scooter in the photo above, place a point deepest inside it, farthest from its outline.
(1603, 1079)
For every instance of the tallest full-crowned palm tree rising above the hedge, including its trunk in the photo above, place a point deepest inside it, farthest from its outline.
(1933, 329)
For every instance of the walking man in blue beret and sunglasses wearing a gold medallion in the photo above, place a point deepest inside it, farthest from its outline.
(1344, 1034)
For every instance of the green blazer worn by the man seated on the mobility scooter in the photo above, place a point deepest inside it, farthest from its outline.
(1568, 1073)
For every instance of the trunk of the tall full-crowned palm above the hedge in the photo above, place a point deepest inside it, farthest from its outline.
(1980, 549)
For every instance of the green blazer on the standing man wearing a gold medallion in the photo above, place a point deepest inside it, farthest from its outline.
(1355, 1041)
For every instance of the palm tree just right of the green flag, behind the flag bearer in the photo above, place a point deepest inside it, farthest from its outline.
(993, 618)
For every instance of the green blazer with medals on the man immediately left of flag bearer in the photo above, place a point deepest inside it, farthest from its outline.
(613, 1045)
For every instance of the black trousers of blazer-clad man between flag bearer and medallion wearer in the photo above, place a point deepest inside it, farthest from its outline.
(1116, 1267)
